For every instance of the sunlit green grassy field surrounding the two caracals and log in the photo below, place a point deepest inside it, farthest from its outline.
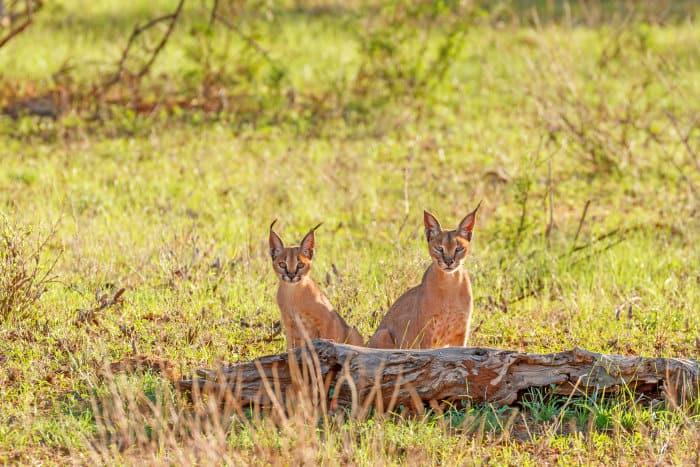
(358, 117)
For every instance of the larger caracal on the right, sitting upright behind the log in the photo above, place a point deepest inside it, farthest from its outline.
(436, 313)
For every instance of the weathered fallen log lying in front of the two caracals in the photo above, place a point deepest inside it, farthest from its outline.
(388, 378)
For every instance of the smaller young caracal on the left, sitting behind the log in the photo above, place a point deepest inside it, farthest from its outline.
(306, 311)
